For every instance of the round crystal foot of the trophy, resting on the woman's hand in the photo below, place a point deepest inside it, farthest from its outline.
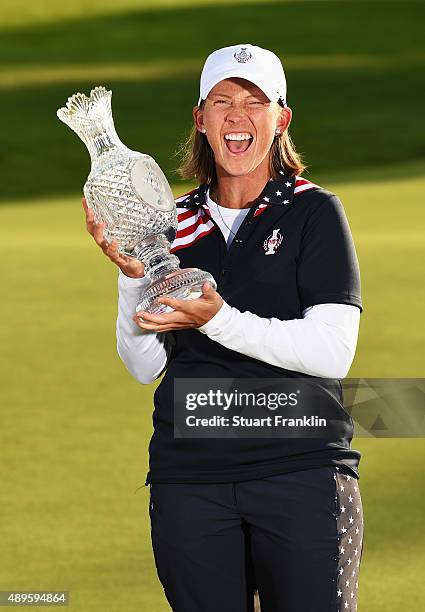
(183, 284)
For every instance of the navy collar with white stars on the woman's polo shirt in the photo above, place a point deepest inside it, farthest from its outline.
(277, 192)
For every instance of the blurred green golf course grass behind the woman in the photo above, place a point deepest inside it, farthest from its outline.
(75, 425)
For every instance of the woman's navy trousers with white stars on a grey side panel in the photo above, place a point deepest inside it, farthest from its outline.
(296, 537)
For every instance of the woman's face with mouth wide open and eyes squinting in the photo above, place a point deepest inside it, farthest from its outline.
(240, 123)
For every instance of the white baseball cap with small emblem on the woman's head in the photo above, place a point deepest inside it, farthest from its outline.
(260, 66)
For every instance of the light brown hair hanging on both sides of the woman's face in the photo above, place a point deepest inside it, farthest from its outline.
(197, 157)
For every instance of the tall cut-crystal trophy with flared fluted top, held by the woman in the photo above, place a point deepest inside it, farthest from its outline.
(130, 194)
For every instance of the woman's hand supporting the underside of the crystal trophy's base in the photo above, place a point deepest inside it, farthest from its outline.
(187, 313)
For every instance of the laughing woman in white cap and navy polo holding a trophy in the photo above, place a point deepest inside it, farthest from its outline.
(230, 514)
